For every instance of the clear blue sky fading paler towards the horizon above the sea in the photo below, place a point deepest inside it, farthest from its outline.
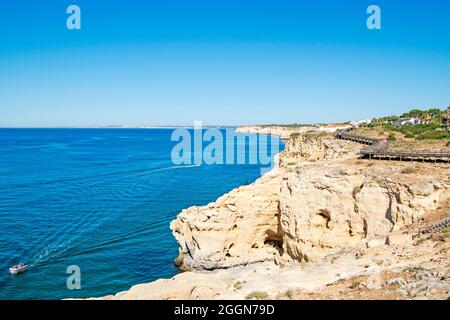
(232, 62)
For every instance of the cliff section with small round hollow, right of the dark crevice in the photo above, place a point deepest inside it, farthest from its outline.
(328, 207)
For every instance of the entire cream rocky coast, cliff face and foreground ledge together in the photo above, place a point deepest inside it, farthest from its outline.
(344, 216)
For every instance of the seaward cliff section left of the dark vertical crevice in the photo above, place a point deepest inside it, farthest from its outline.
(239, 228)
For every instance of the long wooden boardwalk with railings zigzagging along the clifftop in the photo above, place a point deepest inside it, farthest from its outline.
(379, 151)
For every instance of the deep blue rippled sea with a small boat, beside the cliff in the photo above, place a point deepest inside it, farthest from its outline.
(101, 199)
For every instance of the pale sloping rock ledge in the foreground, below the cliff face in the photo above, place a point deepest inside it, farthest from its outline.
(355, 274)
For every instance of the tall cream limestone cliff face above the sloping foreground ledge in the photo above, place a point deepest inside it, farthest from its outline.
(317, 201)
